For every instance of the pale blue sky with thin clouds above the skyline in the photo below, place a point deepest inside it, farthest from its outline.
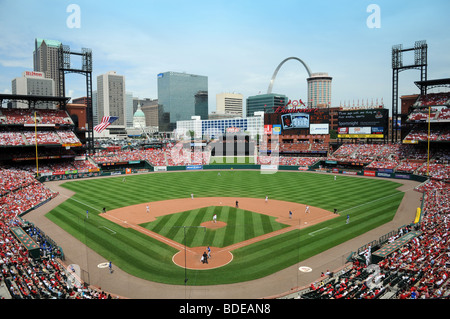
(237, 44)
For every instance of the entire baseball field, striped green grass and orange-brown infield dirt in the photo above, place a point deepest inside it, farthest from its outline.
(260, 235)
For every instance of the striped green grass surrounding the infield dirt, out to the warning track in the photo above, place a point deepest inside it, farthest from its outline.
(369, 202)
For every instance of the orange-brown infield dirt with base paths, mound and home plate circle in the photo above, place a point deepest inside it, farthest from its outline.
(133, 216)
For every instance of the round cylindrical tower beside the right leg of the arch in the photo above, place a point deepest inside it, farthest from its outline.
(319, 90)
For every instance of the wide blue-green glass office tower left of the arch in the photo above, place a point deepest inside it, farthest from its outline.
(181, 96)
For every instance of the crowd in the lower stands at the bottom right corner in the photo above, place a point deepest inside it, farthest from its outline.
(419, 269)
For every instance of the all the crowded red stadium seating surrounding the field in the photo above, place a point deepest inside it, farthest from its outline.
(418, 270)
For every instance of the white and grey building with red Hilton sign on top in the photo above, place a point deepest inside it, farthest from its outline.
(33, 83)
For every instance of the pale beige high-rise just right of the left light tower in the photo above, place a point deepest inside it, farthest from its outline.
(111, 99)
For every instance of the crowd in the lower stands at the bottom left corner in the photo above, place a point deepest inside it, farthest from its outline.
(25, 276)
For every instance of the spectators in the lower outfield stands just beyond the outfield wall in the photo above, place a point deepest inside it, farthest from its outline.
(396, 157)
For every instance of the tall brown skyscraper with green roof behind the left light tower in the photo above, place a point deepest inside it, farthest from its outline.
(46, 59)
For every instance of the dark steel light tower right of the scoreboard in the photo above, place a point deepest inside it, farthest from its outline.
(420, 62)
